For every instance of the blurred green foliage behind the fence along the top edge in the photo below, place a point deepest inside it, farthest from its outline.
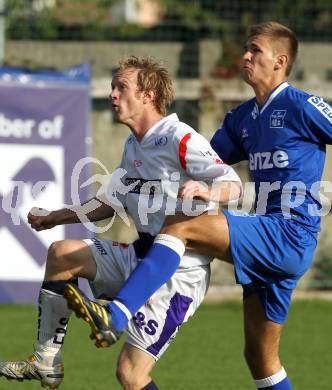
(185, 20)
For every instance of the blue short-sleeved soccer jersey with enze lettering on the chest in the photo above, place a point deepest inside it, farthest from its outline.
(284, 142)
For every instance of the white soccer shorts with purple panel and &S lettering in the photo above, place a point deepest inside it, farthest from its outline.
(156, 323)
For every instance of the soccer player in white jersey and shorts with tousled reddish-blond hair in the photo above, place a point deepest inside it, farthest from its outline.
(160, 155)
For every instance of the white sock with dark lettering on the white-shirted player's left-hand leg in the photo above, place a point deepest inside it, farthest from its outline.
(53, 318)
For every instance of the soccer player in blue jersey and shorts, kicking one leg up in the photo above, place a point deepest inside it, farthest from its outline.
(282, 132)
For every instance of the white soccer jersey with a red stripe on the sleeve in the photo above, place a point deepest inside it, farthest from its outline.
(169, 154)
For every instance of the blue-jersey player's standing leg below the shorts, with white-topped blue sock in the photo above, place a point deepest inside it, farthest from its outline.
(262, 339)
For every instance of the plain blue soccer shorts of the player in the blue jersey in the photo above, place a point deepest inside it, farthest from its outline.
(270, 255)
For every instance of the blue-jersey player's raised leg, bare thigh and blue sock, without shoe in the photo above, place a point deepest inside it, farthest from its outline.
(206, 234)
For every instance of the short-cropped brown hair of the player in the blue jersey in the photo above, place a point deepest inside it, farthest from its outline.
(277, 30)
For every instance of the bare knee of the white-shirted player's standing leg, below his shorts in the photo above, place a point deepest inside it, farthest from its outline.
(134, 365)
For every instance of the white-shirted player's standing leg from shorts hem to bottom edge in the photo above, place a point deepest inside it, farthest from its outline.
(134, 367)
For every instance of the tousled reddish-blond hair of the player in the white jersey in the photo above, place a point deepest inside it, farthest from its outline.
(152, 76)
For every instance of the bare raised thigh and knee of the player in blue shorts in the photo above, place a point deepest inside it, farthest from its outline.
(206, 233)
